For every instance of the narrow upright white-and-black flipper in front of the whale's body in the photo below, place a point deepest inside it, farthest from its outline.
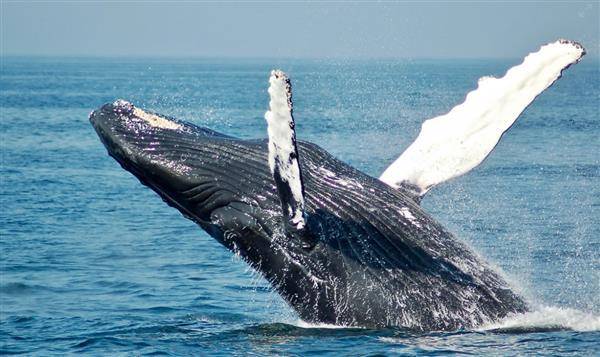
(283, 153)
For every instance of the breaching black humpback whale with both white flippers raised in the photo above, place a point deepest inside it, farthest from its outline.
(341, 247)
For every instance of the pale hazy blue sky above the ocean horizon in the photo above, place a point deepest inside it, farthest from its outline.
(269, 29)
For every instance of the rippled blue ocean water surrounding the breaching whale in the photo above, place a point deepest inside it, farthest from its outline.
(93, 262)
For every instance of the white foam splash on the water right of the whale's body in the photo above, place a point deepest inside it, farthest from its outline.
(549, 317)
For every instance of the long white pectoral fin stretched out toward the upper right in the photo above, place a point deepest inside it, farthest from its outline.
(452, 144)
